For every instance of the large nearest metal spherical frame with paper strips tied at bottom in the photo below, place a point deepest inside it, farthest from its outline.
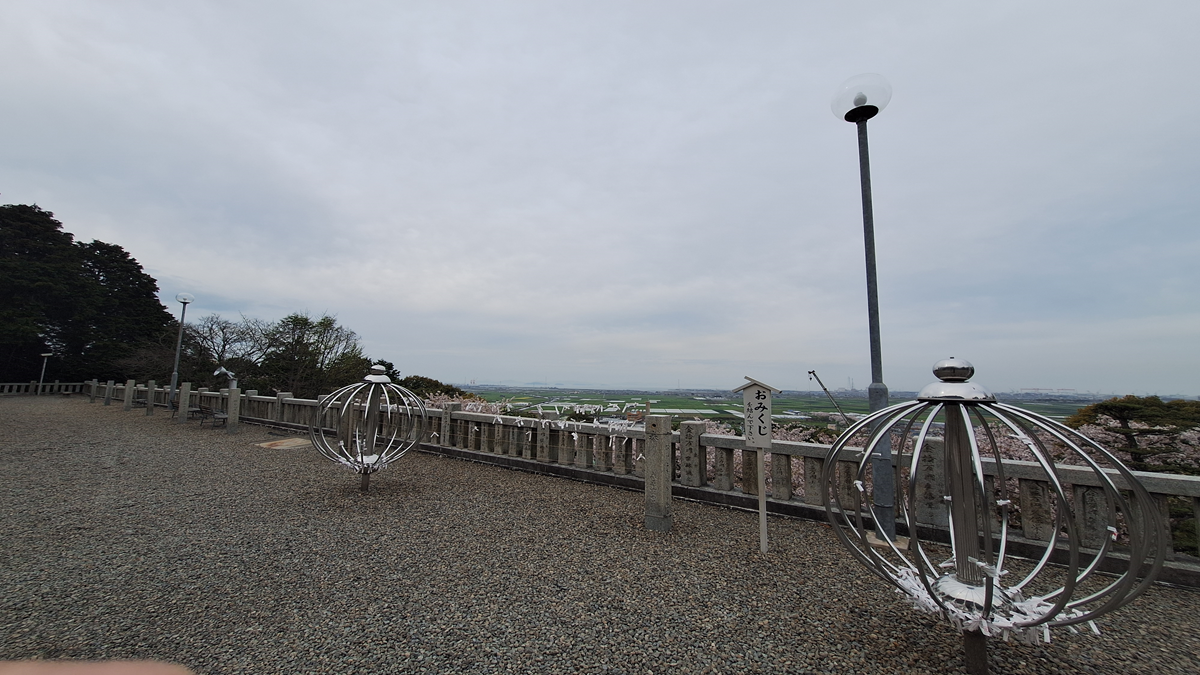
(969, 589)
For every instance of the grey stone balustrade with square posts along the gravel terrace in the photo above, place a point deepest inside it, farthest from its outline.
(705, 468)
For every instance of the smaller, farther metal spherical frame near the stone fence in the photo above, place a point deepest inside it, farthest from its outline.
(376, 423)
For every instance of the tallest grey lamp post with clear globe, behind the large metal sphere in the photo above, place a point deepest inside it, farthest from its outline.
(859, 100)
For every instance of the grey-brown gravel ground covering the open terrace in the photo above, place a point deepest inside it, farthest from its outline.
(129, 537)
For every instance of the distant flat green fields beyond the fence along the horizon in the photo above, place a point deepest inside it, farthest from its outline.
(712, 404)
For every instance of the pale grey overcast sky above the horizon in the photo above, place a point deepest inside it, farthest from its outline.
(644, 194)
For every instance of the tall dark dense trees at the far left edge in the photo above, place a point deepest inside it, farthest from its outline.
(88, 303)
